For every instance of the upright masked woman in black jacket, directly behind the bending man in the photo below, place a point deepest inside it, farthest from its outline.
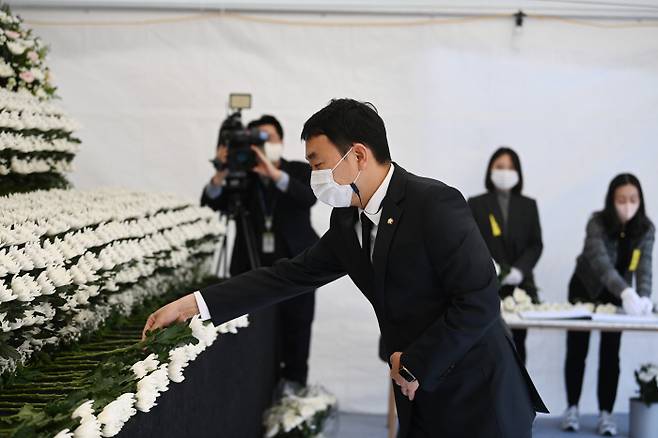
(509, 223)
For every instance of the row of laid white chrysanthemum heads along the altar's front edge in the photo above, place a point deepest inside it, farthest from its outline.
(152, 380)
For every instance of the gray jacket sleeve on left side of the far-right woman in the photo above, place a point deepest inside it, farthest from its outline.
(597, 255)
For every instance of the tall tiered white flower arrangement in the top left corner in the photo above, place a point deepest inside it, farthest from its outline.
(36, 137)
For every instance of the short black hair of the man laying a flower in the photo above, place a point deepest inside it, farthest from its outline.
(347, 121)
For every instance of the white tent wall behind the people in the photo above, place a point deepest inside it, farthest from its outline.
(578, 102)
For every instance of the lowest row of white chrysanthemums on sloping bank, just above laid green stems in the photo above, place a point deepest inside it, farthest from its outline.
(186, 272)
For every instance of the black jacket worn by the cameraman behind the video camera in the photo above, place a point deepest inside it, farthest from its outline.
(291, 215)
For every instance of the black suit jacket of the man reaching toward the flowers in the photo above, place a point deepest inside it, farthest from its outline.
(435, 292)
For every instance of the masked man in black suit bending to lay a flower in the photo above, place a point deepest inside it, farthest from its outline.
(411, 246)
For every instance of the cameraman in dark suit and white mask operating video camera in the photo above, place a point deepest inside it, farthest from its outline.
(278, 198)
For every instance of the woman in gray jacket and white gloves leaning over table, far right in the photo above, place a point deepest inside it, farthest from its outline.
(617, 250)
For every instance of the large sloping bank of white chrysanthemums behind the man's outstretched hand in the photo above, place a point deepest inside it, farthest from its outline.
(69, 258)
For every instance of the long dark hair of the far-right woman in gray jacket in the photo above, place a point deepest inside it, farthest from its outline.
(640, 223)
